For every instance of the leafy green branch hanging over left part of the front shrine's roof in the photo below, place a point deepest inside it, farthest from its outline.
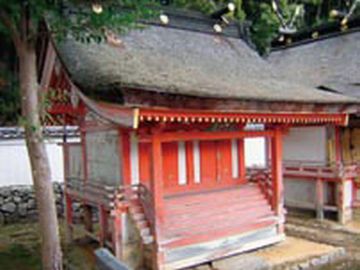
(86, 25)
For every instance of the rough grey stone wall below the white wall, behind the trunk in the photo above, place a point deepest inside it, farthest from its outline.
(18, 203)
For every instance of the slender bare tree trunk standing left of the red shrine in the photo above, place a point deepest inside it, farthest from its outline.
(49, 230)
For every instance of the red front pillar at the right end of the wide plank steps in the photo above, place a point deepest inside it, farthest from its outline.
(277, 177)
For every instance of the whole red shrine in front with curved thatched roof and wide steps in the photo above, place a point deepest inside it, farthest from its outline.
(163, 114)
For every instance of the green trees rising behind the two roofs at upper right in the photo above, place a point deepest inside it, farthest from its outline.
(264, 22)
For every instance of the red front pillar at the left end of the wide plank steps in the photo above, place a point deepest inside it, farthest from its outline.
(157, 197)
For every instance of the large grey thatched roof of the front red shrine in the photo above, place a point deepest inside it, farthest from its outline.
(175, 61)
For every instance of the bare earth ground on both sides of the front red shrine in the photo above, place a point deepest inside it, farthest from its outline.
(20, 247)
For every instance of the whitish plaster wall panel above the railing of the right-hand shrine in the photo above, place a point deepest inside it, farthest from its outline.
(305, 144)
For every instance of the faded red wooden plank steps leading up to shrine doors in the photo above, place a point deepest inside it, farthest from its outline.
(207, 216)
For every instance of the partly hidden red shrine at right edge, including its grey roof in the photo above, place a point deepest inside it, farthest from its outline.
(323, 175)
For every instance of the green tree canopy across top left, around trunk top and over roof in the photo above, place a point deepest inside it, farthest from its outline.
(76, 17)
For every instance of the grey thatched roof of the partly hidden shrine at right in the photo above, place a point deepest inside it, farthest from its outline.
(331, 63)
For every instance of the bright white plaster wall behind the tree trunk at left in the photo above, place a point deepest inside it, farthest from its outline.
(15, 165)
